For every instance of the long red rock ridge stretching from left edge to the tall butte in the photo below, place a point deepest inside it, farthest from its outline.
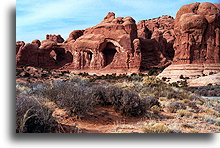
(114, 44)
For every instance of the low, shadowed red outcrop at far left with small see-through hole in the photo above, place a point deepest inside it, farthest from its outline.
(45, 54)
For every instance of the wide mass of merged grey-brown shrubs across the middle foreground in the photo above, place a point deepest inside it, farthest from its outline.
(81, 97)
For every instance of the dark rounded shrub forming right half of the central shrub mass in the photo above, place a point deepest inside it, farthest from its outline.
(124, 101)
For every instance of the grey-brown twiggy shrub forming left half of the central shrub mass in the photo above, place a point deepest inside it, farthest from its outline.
(77, 99)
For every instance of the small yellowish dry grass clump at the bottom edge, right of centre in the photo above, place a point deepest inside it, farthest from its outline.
(156, 128)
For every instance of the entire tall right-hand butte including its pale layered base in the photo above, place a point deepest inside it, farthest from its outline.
(197, 42)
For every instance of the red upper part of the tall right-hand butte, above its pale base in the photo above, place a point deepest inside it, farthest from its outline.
(197, 32)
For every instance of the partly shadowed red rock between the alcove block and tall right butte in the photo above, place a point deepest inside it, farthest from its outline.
(157, 38)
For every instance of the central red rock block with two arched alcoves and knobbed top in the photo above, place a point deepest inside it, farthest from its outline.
(107, 45)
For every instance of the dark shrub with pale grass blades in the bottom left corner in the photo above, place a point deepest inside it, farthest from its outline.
(33, 117)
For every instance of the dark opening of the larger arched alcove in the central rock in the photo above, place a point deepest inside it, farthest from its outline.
(108, 53)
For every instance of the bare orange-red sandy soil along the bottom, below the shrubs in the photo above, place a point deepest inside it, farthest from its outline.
(107, 120)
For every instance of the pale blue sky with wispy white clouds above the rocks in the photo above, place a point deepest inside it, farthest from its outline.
(36, 18)
